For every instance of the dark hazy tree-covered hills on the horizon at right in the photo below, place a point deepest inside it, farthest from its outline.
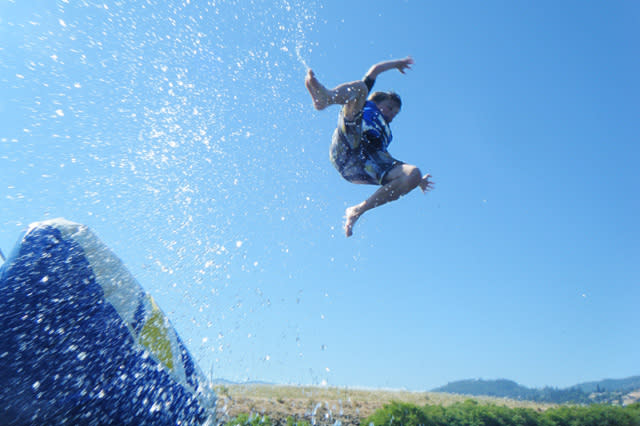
(613, 391)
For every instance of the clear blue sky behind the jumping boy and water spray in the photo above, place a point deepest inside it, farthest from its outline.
(182, 134)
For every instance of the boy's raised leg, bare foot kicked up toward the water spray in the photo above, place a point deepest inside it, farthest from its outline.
(352, 95)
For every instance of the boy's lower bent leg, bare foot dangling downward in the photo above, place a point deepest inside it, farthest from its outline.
(400, 180)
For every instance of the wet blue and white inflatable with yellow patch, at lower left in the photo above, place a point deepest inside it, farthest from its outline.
(81, 343)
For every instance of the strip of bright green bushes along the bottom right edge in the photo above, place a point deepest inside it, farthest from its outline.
(470, 413)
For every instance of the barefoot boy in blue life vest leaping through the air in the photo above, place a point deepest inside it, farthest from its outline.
(359, 145)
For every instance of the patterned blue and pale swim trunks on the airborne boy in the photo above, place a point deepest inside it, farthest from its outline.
(349, 155)
